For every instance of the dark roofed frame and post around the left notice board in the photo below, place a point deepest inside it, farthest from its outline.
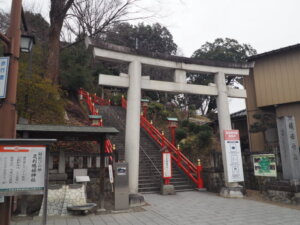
(32, 142)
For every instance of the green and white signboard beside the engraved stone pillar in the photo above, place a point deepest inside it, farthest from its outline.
(264, 165)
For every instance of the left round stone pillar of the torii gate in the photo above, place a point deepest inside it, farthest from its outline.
(132, 134)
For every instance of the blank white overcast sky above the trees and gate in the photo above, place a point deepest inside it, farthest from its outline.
(264, 24)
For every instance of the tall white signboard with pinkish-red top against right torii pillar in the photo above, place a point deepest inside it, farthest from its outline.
(233, 155)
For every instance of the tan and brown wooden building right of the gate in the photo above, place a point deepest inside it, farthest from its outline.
(272, 89)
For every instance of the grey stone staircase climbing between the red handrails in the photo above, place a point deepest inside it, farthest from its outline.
(150, 156)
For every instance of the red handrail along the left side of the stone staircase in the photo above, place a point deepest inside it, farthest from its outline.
(91, 100)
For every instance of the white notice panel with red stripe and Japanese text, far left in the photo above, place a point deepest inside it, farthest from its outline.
(22, 168)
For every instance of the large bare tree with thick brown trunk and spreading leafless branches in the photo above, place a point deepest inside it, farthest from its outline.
(82, 17)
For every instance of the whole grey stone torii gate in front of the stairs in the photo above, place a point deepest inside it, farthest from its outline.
(135, 82)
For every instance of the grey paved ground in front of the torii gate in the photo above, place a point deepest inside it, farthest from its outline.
(192, 208)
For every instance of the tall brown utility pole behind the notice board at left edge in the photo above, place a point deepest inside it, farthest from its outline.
(8, 113)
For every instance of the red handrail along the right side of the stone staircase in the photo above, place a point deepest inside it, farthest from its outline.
(192, 171)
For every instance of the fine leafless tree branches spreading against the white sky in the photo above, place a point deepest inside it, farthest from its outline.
(93, 17)
